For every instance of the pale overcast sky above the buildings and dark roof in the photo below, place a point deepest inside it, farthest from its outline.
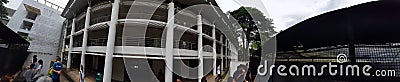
(285, 13)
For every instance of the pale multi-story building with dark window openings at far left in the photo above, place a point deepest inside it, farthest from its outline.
(40, 23)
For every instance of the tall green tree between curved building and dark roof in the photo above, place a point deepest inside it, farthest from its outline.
(244, 16)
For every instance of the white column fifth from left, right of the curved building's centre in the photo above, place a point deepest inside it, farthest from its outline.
(200, 47)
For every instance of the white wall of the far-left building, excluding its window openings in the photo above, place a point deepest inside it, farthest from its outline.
(46, 30)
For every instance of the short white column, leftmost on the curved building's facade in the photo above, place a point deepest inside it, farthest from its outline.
(71, 43)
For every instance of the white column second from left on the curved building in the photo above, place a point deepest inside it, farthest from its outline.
(85, 37)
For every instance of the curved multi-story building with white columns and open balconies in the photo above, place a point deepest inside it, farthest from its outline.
(132, 40)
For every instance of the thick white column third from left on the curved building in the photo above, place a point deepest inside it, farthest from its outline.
(111, 41)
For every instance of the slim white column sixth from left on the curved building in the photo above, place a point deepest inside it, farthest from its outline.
(214, 51)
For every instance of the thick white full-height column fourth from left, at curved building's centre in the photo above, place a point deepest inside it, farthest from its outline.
(169, 44)
